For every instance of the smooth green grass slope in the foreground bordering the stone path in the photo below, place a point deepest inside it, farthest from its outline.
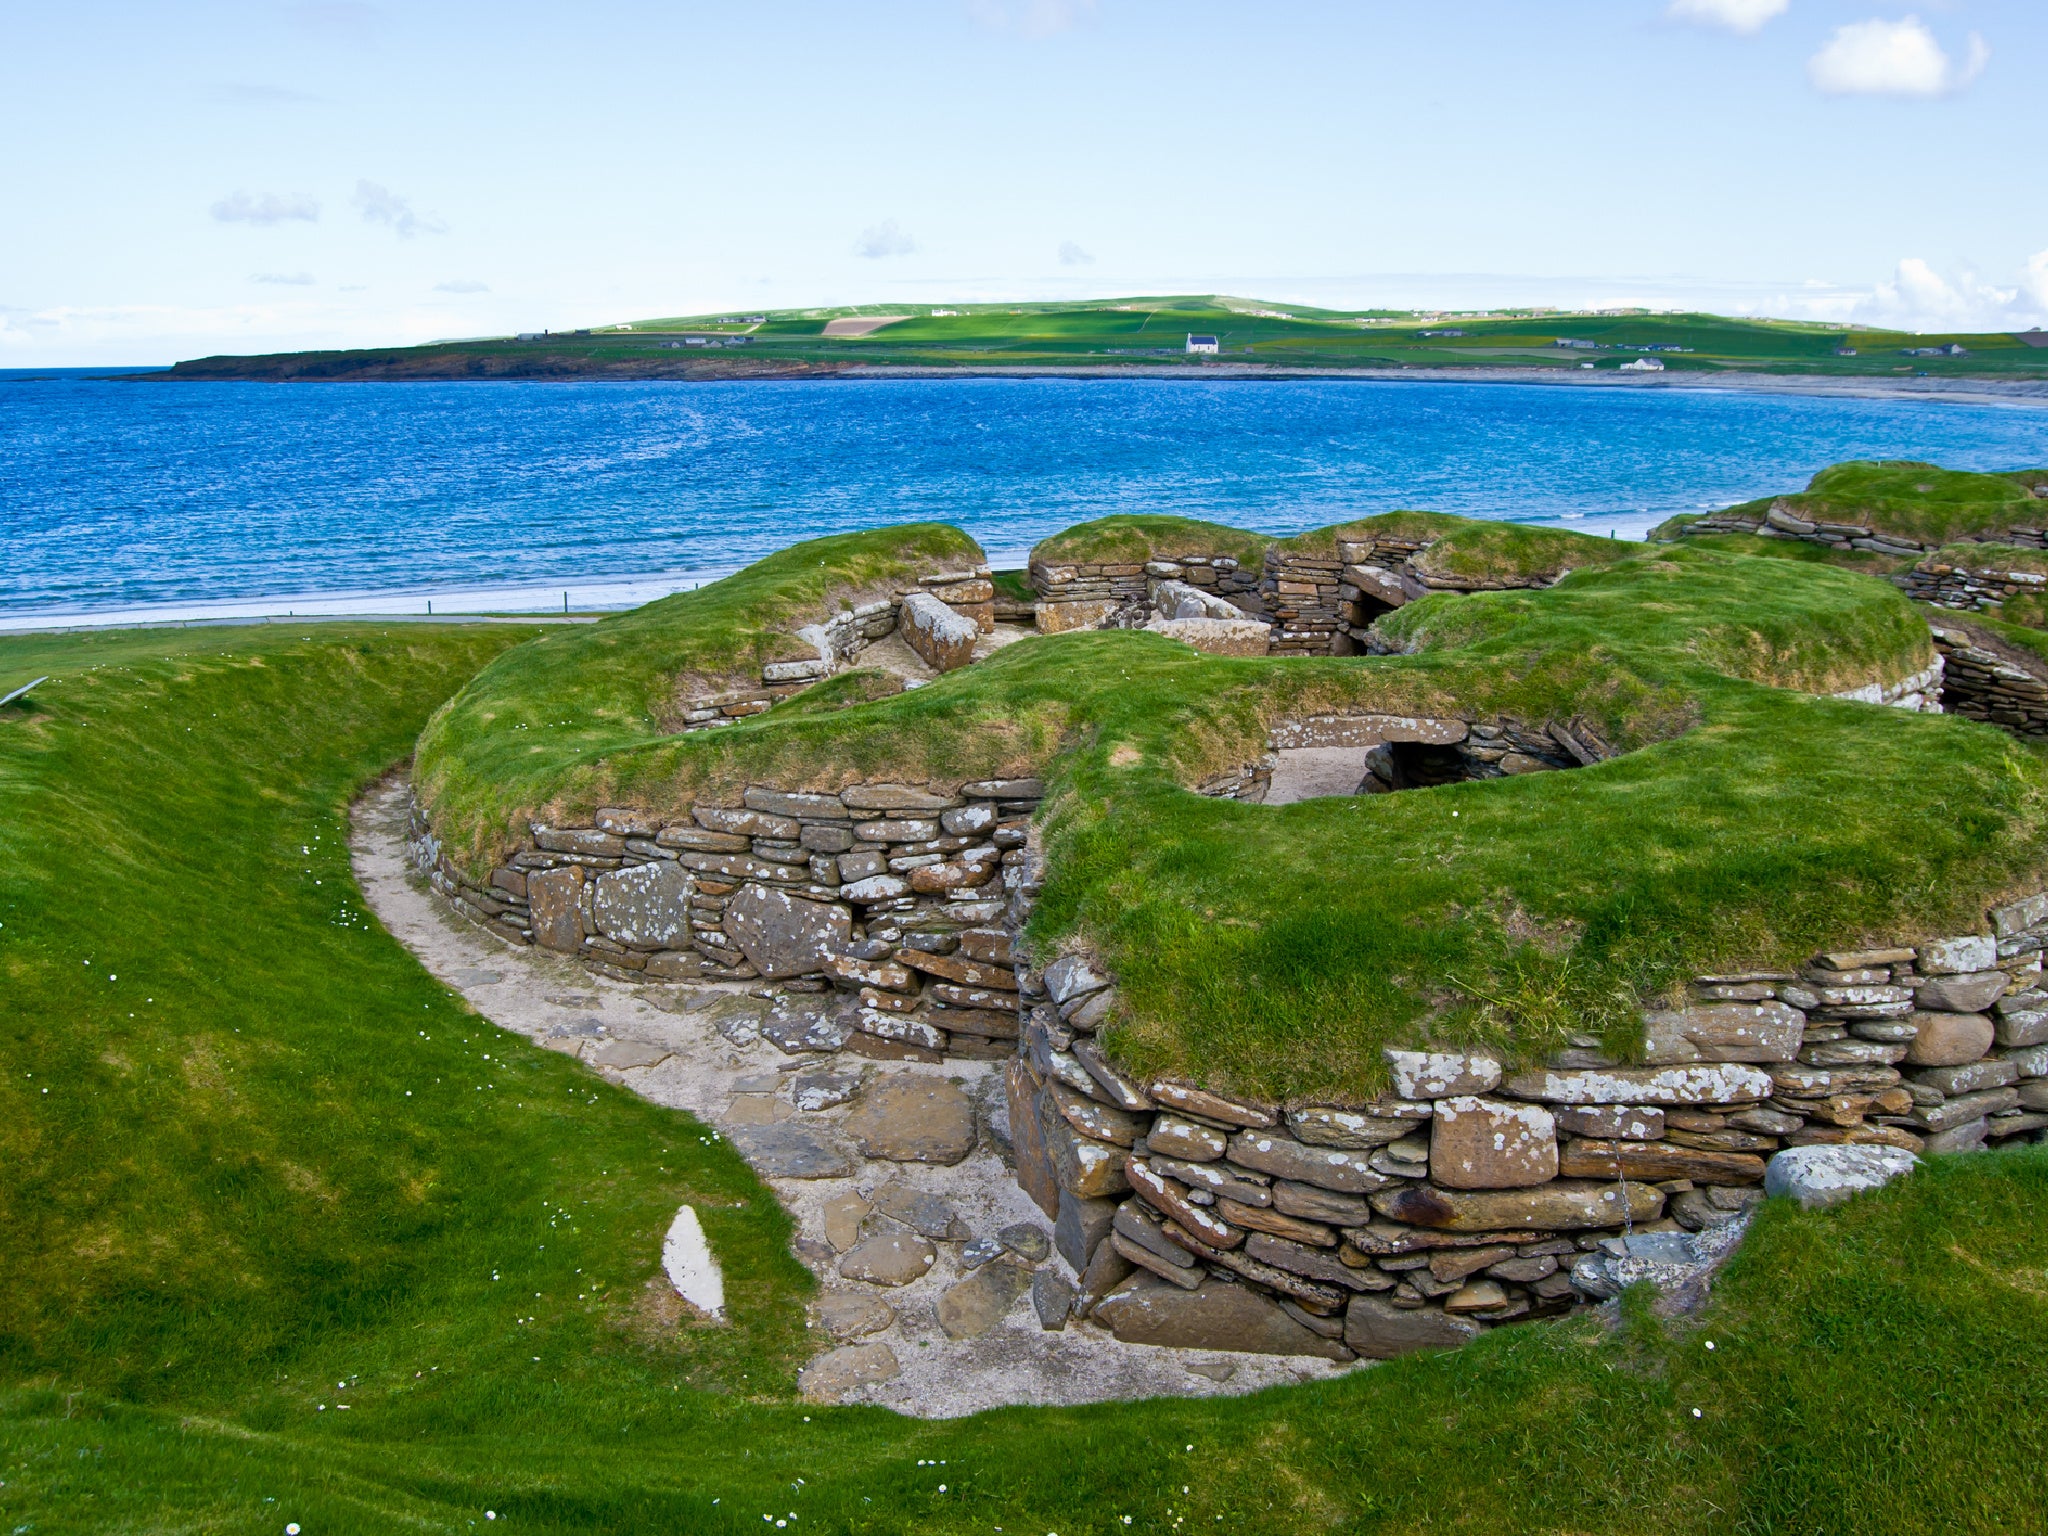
(226, 1205)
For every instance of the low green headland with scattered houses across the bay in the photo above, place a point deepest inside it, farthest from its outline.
(1154, 331)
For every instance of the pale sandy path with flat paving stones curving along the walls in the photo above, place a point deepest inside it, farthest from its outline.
(894, 1172)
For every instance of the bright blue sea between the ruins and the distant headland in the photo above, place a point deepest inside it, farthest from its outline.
(151, 501)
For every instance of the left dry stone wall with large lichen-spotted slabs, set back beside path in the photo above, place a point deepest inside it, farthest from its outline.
(896, 898)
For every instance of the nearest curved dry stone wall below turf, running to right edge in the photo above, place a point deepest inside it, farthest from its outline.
(1469, 1195)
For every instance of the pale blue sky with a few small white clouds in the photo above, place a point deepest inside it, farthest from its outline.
(241, 175)
